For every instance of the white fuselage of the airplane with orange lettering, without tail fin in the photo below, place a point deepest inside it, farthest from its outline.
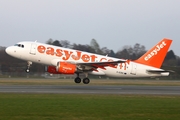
(50, 55)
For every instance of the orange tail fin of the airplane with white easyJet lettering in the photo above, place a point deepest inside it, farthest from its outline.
(155, 56)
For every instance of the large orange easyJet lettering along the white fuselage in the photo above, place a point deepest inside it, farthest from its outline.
(68, 54)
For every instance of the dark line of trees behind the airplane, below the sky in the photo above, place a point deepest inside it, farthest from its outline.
(13, 66)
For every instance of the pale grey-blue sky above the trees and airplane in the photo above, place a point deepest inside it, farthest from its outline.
(113, 23)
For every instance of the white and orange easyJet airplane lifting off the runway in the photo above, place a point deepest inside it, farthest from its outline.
(61, 60)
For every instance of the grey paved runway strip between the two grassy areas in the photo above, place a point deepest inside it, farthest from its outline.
(91, 89)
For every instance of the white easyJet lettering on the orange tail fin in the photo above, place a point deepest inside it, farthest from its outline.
(155, 51)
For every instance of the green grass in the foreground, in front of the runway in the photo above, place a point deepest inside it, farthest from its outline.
(88, 107)
